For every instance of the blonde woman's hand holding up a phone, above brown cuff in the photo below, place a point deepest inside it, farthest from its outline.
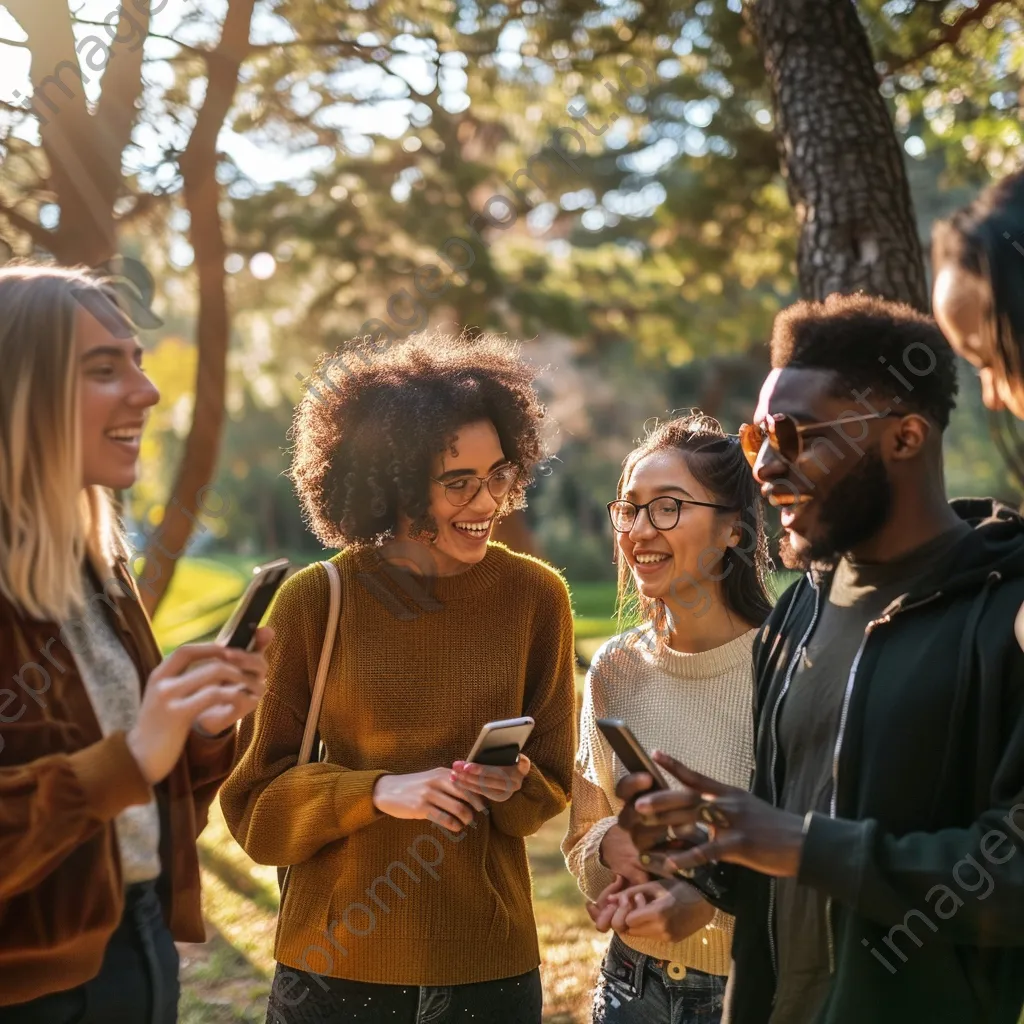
(193, 681)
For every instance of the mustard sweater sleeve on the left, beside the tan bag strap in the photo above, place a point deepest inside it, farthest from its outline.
(282, 814)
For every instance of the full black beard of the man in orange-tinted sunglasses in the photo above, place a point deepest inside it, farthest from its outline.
(851, 514)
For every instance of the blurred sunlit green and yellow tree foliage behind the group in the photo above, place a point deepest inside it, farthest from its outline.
(600, 179)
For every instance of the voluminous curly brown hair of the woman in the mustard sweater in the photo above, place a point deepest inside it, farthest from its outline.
(367, 438)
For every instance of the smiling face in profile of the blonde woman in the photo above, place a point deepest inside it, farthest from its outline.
(115, 396)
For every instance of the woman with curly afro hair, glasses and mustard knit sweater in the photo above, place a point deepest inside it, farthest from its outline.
(409, 892)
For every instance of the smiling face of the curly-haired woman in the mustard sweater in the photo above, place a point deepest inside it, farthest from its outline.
(463, 531)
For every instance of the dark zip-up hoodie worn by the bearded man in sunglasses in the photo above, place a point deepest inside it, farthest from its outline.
(922, 858)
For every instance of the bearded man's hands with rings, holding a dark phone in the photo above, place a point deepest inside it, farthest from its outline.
(726, 823)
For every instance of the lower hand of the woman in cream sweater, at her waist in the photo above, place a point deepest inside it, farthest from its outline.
(665, 912)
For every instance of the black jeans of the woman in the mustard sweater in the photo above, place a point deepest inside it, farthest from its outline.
(298, 998)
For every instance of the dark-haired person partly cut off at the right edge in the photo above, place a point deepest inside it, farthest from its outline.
(978, 300)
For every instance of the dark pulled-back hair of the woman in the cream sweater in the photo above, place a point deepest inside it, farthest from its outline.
(717, 463)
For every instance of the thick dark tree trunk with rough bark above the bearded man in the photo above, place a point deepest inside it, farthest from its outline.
(839, 152)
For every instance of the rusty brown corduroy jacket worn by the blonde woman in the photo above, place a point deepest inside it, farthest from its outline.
(62, 786)
